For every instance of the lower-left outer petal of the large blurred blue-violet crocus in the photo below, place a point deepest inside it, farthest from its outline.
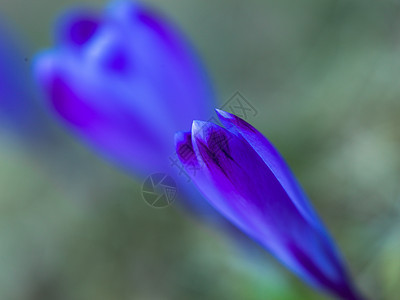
(117, 129)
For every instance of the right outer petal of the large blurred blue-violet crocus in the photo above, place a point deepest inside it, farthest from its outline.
(167, 54)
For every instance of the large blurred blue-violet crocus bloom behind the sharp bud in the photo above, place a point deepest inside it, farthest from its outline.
(125, 82)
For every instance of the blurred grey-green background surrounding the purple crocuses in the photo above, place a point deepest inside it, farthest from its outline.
(324, 78)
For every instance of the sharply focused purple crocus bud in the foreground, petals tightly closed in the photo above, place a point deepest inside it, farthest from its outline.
(244, 177)
